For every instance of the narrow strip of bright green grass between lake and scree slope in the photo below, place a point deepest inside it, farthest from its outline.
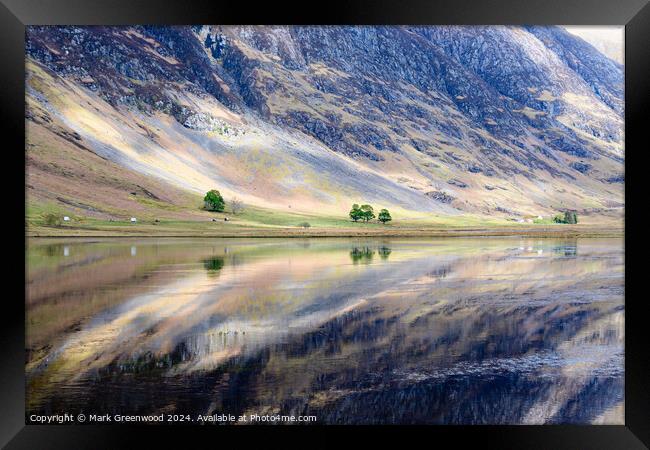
(255, 221)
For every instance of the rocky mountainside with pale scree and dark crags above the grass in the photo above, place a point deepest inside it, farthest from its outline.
(504, 121)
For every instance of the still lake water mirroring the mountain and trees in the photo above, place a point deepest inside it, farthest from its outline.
(351, 331)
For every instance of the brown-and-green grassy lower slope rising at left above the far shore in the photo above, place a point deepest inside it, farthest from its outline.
(100, 197)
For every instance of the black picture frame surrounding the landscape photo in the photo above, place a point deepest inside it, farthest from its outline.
(16, 14)
